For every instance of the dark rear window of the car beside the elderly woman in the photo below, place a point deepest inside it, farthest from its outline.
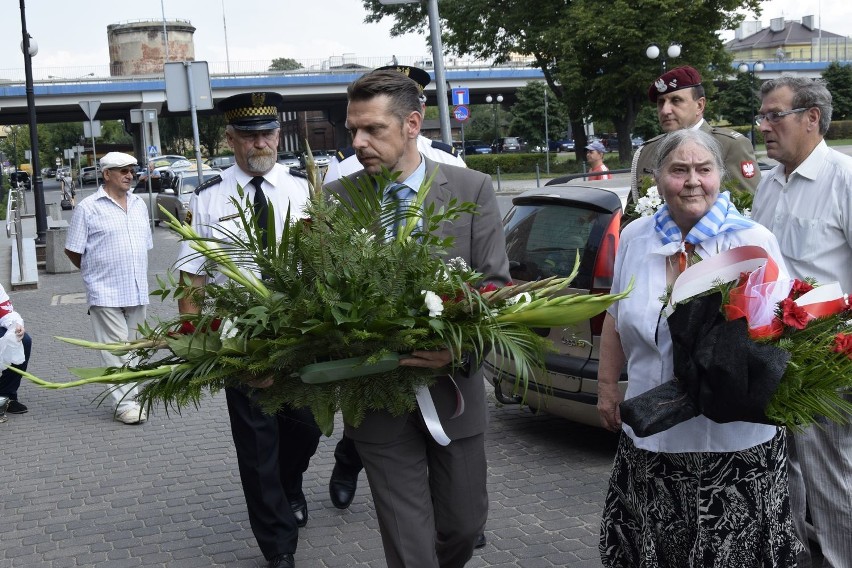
(544, 240)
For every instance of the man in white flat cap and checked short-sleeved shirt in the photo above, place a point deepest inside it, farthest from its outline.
(108, 240)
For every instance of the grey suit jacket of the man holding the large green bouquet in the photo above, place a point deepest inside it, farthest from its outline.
(480, 241)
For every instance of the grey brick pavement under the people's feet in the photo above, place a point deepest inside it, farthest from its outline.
(79, 489)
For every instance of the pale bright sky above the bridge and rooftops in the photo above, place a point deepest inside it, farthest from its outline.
(72, 37)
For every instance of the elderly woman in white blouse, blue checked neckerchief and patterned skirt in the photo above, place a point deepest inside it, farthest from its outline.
(700, 493)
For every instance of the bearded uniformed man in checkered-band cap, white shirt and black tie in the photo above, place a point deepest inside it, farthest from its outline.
(273, 451)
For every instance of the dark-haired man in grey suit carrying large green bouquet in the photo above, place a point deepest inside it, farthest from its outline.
(431, 500)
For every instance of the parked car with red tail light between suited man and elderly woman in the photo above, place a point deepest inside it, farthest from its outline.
(546, 229)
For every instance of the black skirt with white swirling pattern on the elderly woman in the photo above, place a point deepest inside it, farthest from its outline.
(701, 509)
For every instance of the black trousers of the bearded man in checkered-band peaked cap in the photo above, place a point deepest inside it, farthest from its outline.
(273, 451)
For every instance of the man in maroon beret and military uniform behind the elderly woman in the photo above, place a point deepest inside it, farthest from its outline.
(680, 101)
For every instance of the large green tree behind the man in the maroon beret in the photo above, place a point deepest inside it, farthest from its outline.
(592, 55)
